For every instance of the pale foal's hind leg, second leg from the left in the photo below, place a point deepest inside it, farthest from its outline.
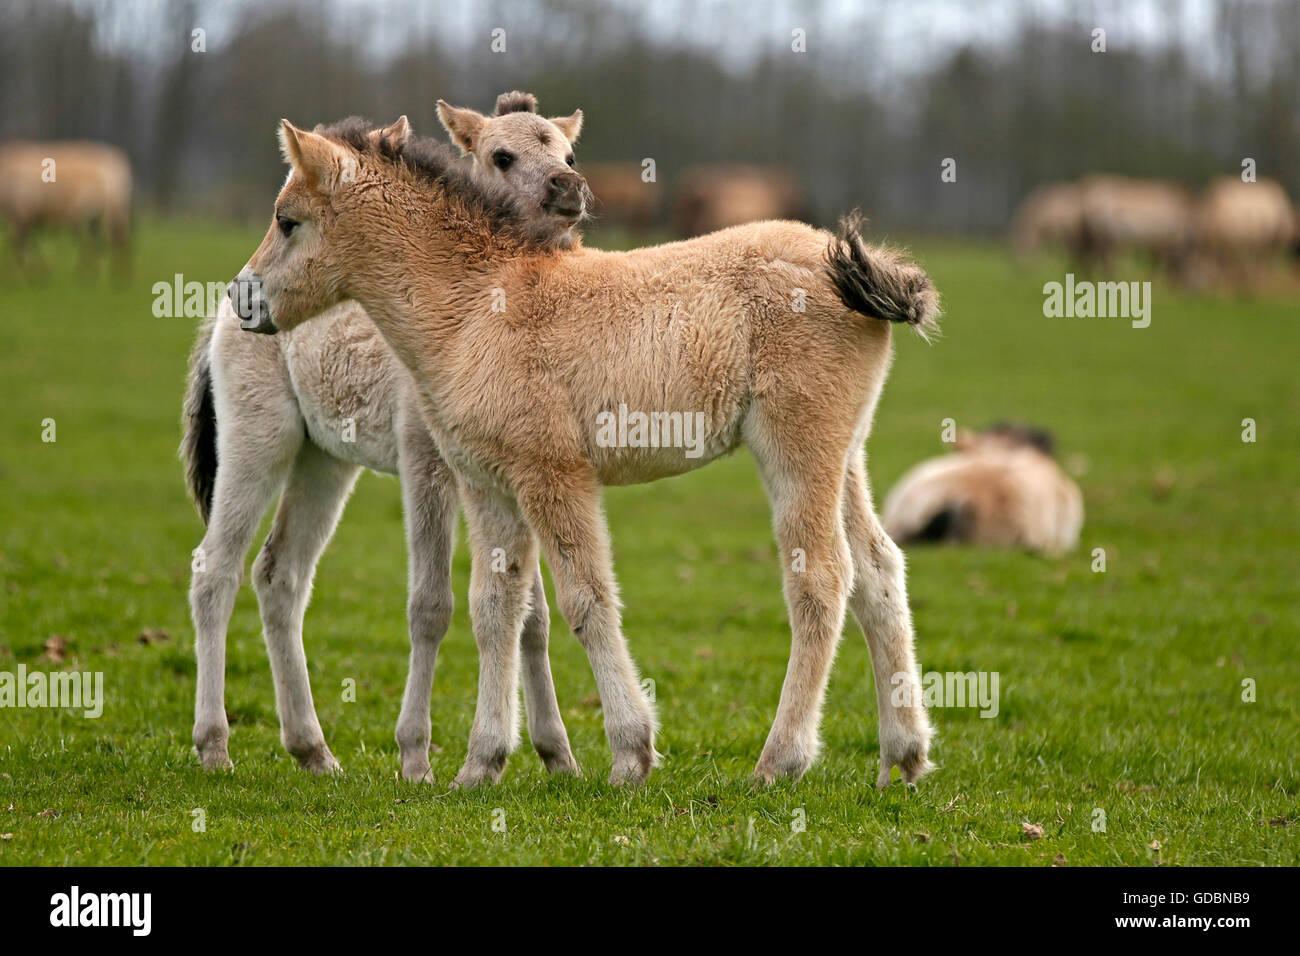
(310, 508)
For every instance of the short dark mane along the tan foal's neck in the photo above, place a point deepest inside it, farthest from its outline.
(439, 165)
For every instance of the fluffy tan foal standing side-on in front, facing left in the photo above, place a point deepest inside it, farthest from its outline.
(774, 335)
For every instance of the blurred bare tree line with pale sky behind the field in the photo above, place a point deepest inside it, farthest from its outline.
(864, 119)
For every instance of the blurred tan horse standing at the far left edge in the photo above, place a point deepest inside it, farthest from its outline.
(83, 185)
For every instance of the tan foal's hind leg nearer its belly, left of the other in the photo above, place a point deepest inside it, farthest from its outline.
(816, 564)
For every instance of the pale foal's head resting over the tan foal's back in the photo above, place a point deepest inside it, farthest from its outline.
(531, 155)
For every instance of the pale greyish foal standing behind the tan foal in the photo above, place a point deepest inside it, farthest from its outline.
(301, 416)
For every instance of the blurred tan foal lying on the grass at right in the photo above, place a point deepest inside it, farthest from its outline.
(1003, 488)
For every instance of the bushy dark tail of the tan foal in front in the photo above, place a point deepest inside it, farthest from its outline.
(881, 283)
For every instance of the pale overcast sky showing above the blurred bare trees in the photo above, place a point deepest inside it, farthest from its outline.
(902, 36)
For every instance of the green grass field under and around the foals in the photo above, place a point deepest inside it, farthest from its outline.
(1121, 693)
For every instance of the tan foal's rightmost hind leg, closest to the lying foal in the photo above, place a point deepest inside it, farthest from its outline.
(879, 602)
